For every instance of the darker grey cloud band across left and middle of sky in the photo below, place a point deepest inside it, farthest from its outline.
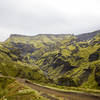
(35, 21)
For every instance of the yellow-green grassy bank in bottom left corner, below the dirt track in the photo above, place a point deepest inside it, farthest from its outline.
(10, 89)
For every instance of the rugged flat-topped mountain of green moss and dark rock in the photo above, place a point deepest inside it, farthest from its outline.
(70, 60)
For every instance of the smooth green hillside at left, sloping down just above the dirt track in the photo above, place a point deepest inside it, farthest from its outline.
(11, 65)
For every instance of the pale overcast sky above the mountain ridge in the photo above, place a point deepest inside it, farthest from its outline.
(30, 17)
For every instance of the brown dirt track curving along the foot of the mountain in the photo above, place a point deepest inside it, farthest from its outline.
(67, 95)
